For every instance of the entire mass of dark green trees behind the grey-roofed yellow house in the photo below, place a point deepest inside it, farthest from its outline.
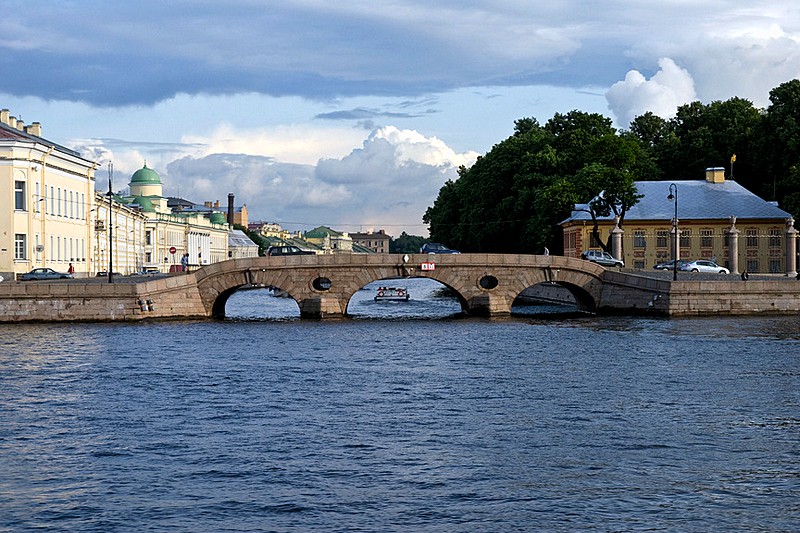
(514, 196)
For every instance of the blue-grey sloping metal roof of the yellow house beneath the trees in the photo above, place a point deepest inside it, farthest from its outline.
(697, 200)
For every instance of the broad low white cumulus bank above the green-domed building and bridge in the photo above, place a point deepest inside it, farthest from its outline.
(386, 183)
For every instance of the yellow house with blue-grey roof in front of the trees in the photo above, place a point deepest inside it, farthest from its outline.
(716, 219)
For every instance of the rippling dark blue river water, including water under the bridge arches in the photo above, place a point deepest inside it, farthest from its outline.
(403, 418)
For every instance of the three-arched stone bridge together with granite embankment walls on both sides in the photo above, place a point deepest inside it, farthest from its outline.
(322, 285)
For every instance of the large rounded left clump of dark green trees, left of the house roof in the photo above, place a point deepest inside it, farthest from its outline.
(512, 199)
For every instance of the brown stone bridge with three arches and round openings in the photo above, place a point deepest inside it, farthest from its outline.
(485, 284)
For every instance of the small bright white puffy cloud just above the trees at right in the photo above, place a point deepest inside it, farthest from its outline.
(670, 87)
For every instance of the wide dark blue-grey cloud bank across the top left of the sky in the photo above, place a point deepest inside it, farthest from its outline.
(110, 53)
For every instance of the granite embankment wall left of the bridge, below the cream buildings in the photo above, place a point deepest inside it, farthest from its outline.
(92, 300)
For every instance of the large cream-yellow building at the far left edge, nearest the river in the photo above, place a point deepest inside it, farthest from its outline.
(46, 200)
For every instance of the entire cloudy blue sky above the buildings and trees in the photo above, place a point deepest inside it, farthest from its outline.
(354, 113)
